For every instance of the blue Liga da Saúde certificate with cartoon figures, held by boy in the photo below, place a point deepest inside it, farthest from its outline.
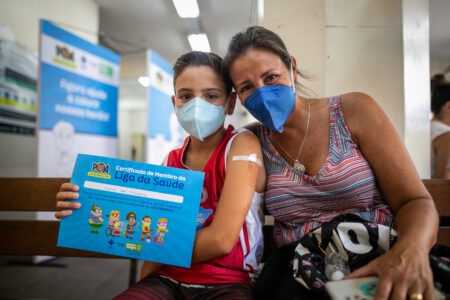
(133, 209)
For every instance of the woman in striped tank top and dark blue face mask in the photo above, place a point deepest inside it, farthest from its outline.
(325, 157)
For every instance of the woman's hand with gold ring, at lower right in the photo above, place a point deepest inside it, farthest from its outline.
(402, 271)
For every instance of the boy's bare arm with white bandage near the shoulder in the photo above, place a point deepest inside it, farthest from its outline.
(241, 180)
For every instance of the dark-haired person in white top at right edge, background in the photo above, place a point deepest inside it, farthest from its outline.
(440, 132)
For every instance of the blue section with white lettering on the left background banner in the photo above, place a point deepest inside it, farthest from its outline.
(90, 106)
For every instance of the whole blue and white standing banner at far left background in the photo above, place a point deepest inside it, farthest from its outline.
(78, 100)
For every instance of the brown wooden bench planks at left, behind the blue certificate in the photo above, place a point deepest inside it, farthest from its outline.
(32, 237)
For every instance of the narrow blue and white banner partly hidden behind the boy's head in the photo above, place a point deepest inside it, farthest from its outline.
(164, 131)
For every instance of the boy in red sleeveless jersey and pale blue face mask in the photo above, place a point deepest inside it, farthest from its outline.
(228, 244)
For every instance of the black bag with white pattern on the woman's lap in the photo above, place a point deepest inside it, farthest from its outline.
(346, 243)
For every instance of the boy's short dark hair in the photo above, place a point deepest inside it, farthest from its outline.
(199, 58)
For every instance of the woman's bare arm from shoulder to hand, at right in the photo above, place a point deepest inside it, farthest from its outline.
(405, 268)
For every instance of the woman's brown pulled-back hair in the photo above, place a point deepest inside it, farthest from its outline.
(257, 37)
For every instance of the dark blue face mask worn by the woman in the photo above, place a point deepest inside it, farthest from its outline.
(272, 105)
